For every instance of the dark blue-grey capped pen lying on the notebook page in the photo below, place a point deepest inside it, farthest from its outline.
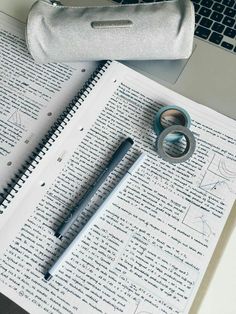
(79, 207)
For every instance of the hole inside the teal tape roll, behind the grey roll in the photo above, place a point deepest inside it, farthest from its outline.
(172, 117)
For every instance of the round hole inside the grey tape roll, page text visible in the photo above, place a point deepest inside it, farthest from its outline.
(178, 148)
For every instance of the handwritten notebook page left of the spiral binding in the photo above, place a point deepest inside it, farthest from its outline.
(31, 95)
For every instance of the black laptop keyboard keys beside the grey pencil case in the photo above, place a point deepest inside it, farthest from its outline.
(215, 21)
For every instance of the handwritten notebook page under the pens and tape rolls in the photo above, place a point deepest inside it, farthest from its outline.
(149, 249)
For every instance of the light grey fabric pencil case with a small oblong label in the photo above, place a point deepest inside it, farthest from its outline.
(163, 30)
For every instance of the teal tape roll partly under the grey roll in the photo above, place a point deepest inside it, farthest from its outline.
(176, 113)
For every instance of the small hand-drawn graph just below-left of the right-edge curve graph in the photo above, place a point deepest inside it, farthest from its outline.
(199, 221)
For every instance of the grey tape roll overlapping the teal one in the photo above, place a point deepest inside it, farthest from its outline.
(188, 151)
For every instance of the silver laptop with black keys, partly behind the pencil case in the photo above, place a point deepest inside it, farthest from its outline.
(209, 75)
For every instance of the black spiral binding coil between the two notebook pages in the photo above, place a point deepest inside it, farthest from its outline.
(33, 160)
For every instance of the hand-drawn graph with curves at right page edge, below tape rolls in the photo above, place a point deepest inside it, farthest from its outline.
(220, 177)
